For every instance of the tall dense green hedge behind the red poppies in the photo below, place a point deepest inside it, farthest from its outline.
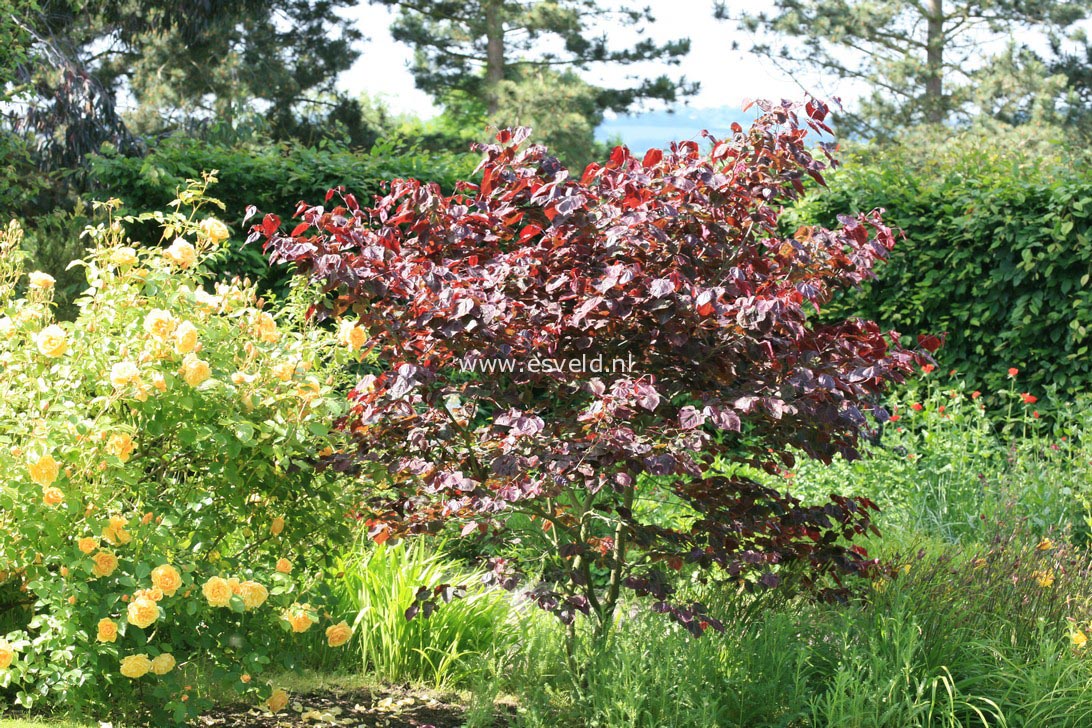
(998, 254)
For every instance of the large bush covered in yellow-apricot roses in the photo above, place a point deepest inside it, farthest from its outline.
(159, 486)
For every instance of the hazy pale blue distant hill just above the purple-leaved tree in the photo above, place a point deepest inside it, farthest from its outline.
(658, 129)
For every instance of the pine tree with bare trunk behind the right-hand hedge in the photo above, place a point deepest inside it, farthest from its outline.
(923, 61)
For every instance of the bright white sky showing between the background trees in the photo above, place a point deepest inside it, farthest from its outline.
(727, 77)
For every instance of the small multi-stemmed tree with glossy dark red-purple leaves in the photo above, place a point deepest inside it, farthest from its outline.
(671, 271)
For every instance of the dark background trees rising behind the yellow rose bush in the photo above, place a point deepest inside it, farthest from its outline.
(184, 62)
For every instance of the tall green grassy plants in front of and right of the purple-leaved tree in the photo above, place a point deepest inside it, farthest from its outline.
(967, 637)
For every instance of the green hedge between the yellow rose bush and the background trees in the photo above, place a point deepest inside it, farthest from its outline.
(274, 178)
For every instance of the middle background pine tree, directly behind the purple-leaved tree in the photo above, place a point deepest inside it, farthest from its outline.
(497, 62)
